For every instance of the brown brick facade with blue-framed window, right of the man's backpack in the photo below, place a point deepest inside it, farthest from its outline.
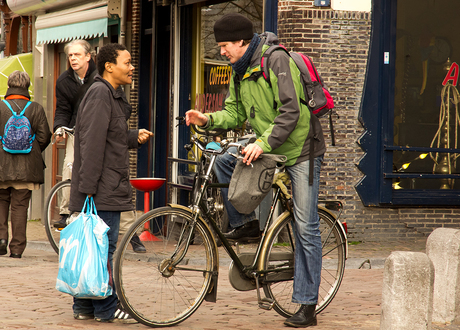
(393, 74)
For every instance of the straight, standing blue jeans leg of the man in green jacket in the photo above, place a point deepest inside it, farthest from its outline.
(308, 252)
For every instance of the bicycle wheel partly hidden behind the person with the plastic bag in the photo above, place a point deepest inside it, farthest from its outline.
(53, 210)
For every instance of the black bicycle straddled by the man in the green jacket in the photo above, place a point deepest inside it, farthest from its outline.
(166, 285)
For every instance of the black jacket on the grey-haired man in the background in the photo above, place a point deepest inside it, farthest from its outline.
(67, 88)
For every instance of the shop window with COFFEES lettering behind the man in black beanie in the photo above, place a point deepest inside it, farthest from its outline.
(207, 85)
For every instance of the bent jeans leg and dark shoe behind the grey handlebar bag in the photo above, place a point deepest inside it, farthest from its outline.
(223, 168)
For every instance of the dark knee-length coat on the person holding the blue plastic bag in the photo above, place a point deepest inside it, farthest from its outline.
(101, 158)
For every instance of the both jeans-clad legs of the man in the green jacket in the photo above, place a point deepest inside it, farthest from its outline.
(308, 254)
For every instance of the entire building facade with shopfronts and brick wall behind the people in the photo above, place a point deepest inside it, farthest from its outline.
(390, 66)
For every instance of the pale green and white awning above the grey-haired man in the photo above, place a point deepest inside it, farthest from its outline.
(87, 21)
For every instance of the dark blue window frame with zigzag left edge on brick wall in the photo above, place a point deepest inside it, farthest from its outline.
(376, 115)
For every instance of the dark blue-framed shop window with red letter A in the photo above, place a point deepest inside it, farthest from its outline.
(415, 53)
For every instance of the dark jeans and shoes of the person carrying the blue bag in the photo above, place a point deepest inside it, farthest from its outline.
(103, 308)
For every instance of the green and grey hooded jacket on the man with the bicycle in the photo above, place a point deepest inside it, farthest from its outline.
(281, 122)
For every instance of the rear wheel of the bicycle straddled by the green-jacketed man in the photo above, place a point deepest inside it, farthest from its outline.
(280, 258)
